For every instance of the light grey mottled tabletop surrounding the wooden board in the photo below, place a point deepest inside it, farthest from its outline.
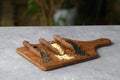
(15, 67)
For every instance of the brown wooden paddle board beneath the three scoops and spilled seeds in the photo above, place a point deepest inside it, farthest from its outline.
(88, 46)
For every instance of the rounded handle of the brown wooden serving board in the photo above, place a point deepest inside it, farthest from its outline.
(101, 42)
